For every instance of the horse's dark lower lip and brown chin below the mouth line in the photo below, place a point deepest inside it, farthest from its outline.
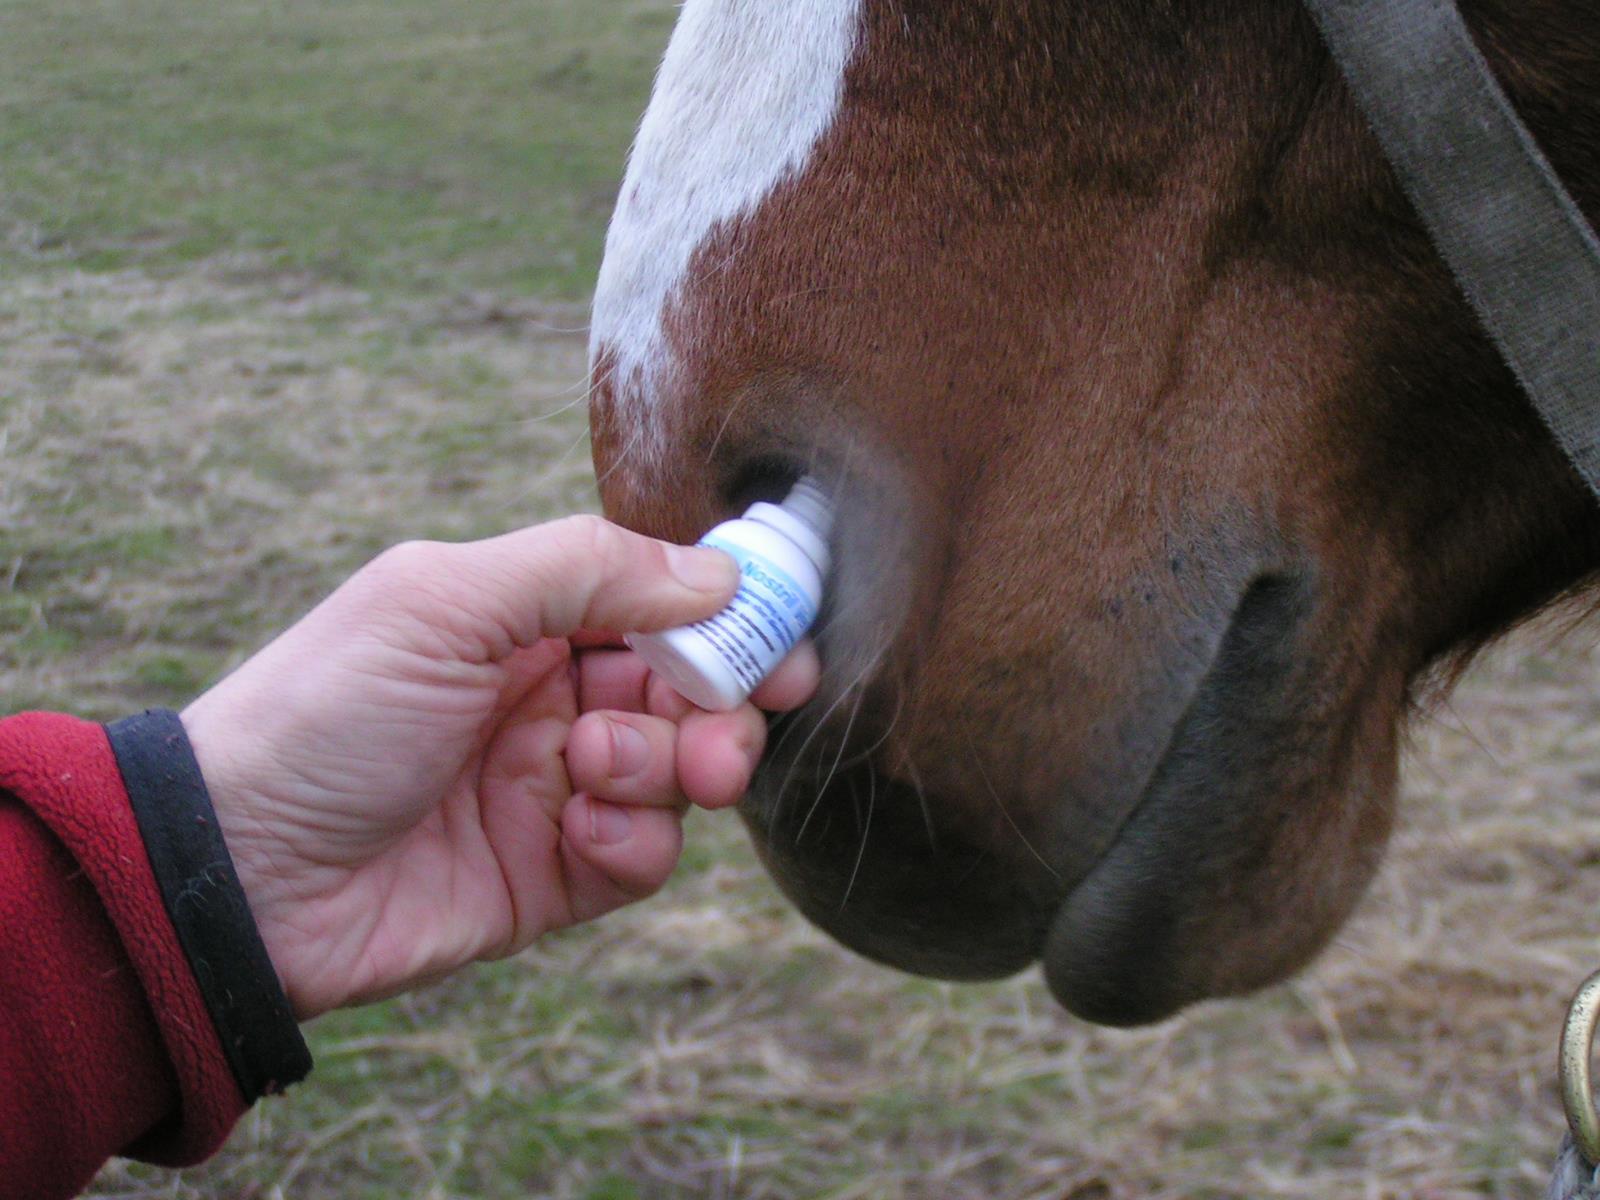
(1257, 836)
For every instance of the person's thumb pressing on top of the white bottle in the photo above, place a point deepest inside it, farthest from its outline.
(578, 574)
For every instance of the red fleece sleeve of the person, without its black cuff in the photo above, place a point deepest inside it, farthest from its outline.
(106, 1046)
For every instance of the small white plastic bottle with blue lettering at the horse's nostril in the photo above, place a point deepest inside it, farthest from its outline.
(783, 559)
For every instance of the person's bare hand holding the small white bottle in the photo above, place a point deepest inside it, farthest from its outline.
(454, 754)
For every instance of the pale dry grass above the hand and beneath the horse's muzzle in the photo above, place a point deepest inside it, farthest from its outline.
(190, 462)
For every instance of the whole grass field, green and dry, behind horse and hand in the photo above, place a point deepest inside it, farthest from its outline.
(282, 284)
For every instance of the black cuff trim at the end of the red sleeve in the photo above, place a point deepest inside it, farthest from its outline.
(207, 903)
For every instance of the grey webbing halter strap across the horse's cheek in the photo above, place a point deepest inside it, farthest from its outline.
(1514, 239)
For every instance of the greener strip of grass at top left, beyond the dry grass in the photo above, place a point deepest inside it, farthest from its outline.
(398, 145)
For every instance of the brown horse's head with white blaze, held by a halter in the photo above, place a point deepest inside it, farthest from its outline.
(1172, 462)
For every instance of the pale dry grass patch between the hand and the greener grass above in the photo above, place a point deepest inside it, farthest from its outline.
(191, 460)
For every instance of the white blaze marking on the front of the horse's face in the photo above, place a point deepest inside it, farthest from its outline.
(745, 94)
